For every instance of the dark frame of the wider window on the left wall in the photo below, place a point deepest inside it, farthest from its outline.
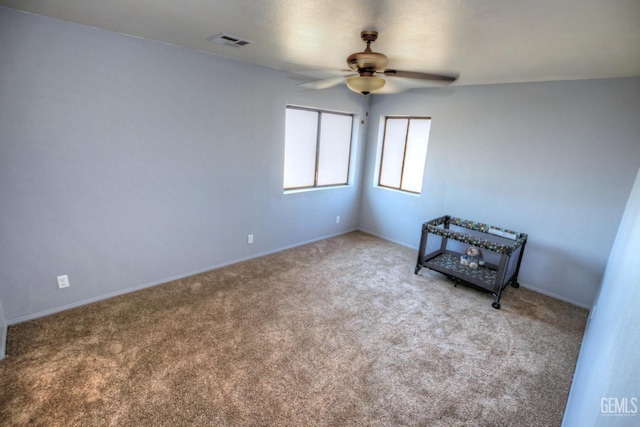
(316, 173)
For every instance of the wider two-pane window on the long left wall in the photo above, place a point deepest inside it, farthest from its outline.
(317, 148)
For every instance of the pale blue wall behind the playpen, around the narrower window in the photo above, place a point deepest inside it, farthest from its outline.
(555, 160)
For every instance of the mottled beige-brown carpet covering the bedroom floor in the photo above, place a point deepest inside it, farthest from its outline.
(338, 332)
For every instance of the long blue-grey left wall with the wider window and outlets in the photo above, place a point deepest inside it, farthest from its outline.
(126, 162)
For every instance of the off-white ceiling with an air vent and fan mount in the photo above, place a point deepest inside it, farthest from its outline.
(484, 41)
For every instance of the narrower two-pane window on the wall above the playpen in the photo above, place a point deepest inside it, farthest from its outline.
(404, 152)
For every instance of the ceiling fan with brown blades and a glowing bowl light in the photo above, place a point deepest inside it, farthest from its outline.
(368, 63)
